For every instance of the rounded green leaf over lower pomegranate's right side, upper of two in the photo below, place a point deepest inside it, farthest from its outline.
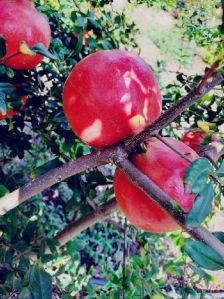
(197, 174)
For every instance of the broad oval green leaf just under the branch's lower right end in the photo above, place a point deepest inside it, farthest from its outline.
(203, 255)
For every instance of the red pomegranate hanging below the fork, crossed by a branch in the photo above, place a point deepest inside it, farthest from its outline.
(166, 169)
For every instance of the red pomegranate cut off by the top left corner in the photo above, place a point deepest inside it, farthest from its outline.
(20, 21)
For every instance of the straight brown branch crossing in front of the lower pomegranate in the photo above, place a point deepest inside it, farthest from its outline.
(165, 202)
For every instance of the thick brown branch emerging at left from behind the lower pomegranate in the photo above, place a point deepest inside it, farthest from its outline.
(77, 226)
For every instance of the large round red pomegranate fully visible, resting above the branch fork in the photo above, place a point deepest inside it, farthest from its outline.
(110, 95)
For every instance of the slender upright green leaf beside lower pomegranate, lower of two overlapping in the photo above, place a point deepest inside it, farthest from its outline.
(202, 206)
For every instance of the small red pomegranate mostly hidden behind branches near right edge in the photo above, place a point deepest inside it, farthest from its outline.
(196, 139)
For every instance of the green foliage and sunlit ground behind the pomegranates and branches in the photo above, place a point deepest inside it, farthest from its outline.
(39, 138)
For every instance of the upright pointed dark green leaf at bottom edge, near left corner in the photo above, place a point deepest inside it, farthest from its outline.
(40, 282)
